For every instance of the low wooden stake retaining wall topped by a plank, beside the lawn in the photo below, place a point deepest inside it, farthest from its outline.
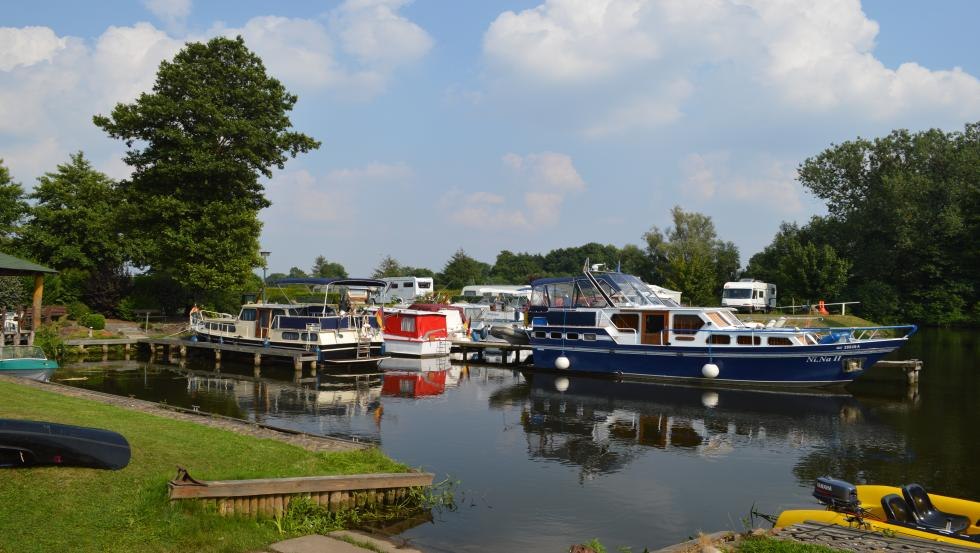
(268, 497)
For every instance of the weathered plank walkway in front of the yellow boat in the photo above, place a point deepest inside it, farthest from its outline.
(863, 541)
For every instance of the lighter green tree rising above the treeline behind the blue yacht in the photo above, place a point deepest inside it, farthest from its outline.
(689, 257)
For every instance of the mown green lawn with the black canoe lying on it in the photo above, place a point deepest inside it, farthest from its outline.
(72, 509)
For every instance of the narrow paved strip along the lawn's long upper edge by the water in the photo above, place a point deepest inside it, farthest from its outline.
(306, 441)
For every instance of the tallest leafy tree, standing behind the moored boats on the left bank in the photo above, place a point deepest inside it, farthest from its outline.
(198, 143)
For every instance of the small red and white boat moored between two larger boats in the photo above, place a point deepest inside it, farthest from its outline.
(415, 333)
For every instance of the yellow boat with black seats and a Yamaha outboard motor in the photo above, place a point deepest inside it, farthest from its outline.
(907, 510)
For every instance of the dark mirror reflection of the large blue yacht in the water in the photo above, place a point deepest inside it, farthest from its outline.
(601, 424)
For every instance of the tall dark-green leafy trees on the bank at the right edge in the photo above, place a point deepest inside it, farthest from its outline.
(903, 209)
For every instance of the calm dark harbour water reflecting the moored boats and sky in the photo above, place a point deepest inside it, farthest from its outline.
(544, 461)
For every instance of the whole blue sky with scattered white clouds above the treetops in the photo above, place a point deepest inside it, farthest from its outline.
(520, 125)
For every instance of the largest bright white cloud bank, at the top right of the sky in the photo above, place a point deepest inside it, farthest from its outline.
(637, 63)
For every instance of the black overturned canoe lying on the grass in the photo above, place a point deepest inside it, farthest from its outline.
(25, 443)
